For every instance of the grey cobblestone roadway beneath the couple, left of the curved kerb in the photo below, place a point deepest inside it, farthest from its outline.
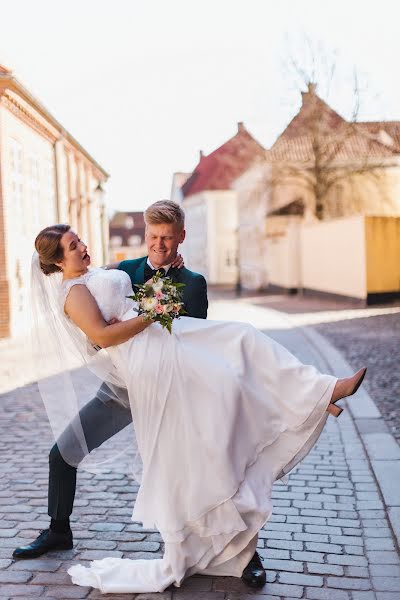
(329, 537)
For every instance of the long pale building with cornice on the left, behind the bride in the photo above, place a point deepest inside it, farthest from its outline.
(46, 177)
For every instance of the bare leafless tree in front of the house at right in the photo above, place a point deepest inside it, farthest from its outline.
(320, 149)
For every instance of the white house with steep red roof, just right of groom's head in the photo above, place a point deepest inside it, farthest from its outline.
(210, 204)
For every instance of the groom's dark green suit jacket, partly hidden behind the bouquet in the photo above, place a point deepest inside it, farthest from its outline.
(194, 293)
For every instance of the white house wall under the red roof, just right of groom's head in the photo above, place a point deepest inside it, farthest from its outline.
(211, 245)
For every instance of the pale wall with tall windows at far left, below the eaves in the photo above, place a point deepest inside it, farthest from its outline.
(29, 204)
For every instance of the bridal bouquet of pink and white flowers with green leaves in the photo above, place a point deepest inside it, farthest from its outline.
(160, 300)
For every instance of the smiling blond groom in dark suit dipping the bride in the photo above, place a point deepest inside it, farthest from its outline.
(104, 416)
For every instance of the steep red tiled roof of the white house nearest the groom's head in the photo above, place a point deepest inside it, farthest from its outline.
(218, 170)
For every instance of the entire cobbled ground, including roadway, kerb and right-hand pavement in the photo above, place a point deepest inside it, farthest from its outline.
(336, 524)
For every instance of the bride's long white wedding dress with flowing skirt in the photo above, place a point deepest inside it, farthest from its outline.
(220, 412)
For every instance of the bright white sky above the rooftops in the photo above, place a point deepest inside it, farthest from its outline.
(145, 85)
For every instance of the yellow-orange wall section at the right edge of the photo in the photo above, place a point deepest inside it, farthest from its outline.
(382, 236)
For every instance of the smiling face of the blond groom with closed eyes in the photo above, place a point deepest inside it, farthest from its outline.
(162, 242)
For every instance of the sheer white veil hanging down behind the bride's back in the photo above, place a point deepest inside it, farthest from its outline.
(70, 372)
